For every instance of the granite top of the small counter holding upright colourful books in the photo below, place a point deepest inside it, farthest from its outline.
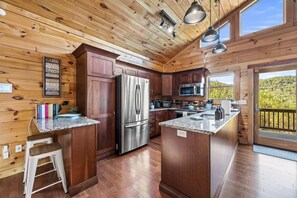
(50, 124)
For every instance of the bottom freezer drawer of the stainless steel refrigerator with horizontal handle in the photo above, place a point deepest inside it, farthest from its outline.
(133, 135)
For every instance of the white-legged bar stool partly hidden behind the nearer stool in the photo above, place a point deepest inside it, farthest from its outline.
(32, 140)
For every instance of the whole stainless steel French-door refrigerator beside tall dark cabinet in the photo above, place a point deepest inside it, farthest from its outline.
(132, 115)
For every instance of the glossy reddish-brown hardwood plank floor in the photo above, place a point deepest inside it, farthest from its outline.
(137, 174)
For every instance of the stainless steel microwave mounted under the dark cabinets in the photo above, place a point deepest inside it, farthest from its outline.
(195, 89)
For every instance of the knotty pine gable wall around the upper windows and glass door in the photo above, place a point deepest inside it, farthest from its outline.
(277, 43)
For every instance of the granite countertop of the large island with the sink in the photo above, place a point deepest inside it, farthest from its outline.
(207, 125)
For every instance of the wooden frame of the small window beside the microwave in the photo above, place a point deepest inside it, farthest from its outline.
(220, 74)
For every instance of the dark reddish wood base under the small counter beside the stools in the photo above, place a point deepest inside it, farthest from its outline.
(79, 153)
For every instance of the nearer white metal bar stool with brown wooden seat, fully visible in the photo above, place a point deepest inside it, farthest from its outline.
(38, 152)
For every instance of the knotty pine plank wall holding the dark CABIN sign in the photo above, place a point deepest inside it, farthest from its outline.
(24, 39)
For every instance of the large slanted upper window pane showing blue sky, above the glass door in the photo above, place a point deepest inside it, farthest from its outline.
(261, 15)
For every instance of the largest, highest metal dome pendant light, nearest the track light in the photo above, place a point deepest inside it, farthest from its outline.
(194, 14)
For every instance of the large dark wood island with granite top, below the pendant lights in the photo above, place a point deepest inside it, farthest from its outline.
(196, 152)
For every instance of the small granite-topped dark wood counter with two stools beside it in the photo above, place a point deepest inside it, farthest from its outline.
(77, 136)
